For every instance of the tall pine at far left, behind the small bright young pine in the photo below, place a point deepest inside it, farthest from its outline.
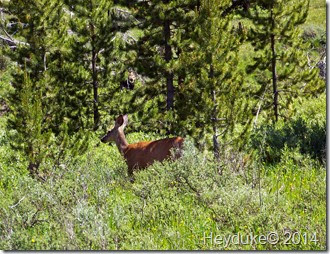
(32, 25)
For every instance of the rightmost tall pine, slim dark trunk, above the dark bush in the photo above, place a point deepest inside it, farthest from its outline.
(279, 62)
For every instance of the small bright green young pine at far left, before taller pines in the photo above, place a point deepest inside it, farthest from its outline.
(31, 135)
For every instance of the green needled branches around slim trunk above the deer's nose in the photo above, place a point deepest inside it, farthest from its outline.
(89, 61)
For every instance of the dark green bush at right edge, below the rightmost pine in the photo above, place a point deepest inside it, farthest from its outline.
(306, 132)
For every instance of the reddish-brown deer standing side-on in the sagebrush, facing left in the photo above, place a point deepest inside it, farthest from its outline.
(142, 154)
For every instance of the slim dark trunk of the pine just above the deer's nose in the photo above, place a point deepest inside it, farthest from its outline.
(95, 81)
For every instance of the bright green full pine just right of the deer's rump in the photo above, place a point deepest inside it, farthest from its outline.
(214, 92)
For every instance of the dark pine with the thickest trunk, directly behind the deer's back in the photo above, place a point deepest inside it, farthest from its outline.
(166, 27)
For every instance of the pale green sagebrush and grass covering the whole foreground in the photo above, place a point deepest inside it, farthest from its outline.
(89, 204)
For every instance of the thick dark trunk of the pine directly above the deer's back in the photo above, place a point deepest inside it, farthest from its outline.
(169, 74)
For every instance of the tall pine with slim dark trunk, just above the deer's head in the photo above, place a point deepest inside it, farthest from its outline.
(96, 57)
